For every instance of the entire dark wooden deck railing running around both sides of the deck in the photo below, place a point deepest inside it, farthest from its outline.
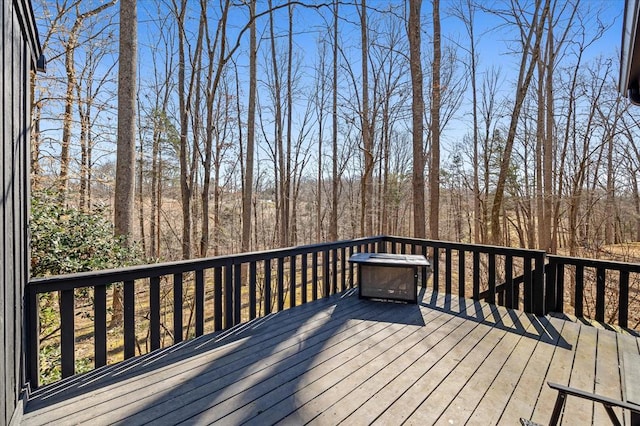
(218, 293)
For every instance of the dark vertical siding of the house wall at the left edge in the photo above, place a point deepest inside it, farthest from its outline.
(19, 51)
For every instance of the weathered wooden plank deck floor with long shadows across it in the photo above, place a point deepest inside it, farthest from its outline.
(351, 361)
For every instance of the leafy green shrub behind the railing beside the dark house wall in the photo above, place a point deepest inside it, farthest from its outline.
(65, 240)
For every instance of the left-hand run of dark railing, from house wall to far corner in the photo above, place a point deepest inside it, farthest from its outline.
(234, 300)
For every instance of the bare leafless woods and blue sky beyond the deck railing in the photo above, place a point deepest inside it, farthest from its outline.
(266, 124)
